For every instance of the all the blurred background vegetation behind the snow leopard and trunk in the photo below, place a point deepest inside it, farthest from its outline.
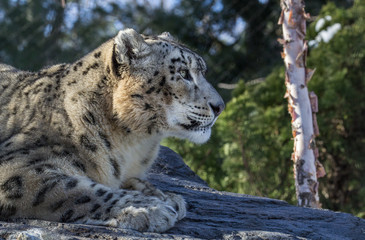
(251, 146)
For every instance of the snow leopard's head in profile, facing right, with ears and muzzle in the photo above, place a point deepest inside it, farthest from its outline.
(162, 86)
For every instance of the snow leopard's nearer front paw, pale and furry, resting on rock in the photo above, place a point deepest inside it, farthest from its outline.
(153, 218)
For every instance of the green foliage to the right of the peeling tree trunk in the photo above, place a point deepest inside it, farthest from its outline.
(339, 82)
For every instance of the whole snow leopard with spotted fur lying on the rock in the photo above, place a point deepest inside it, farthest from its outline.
(77, 139)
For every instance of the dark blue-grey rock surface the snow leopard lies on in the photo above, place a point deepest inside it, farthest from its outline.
(211, 215)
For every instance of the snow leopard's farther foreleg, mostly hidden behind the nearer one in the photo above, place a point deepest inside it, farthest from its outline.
(174, 200)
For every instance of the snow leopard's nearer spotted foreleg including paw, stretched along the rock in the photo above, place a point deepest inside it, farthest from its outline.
(48, 193)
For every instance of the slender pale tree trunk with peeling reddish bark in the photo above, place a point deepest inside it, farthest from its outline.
(301, 105)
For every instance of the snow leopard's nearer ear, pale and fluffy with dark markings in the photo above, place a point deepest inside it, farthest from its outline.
(130, 45)
